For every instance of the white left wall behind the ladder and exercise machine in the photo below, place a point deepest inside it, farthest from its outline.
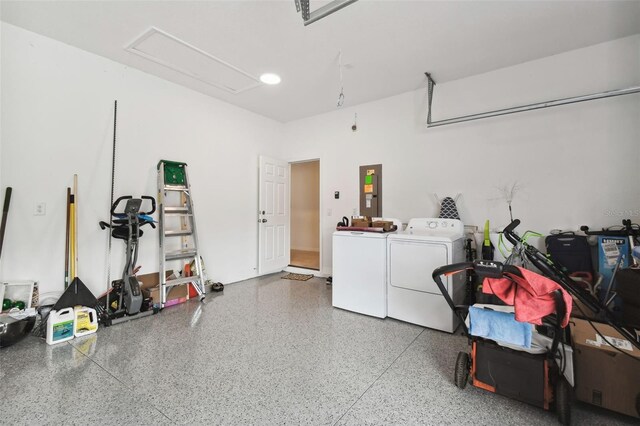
(57, 119)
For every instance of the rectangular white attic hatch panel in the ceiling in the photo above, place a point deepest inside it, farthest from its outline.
(167, 50)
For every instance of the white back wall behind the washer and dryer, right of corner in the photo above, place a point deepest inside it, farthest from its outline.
(575, 164)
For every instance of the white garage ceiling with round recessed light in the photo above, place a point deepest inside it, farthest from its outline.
(386, 45)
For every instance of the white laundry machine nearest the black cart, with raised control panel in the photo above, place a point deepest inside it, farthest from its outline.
(412, 255)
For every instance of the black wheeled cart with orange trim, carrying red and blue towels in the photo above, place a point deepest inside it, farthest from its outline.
(535, 375)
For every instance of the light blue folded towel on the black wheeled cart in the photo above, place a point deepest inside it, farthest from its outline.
(499, 326)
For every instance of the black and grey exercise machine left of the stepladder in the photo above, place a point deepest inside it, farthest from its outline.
(125, 298)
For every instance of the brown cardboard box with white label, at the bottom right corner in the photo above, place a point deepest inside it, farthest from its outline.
(604, 376)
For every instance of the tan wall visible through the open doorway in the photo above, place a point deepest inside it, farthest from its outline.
(305, 206)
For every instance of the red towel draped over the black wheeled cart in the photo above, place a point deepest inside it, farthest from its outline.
(531, 296)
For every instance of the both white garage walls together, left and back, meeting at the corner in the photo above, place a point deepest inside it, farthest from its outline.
(575, 164)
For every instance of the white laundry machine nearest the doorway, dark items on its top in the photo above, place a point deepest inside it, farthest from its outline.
(360, 271)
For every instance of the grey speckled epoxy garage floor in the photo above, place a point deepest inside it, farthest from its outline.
(266, 351)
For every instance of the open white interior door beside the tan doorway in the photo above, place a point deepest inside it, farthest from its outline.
(273, 216)
